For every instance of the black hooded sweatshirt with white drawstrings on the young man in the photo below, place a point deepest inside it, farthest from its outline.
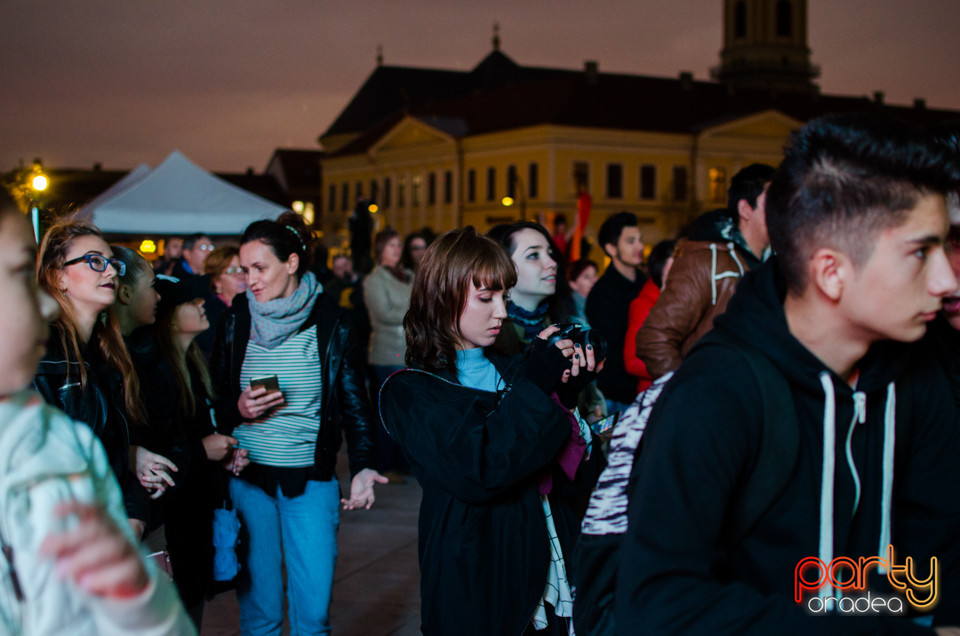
(876, 465)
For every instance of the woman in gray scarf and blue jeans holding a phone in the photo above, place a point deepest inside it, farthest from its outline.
(288, 496)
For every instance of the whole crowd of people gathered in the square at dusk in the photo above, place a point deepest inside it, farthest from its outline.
(750, 428)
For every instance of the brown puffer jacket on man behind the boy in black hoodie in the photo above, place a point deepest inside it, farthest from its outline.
(702, 280)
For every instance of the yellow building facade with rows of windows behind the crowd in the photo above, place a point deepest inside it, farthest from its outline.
(421, 176)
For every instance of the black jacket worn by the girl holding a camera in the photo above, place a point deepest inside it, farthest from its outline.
(483, 544)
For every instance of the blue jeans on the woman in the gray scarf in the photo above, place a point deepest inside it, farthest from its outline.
(302, 529)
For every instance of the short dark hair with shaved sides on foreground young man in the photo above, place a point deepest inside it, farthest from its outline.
(845, 178)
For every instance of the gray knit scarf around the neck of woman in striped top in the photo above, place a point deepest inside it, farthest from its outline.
(272, 322)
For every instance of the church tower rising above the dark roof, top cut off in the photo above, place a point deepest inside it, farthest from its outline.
(765, 46)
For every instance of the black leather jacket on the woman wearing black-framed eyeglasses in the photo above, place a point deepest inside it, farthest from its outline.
(99, 404)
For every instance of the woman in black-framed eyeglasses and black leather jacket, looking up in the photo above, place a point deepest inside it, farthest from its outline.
(87, 372)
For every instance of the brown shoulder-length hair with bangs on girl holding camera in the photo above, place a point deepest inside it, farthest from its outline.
(440, 290)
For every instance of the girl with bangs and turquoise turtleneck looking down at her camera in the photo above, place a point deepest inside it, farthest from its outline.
(488, 440)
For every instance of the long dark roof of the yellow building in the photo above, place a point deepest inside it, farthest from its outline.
(501, 95)
